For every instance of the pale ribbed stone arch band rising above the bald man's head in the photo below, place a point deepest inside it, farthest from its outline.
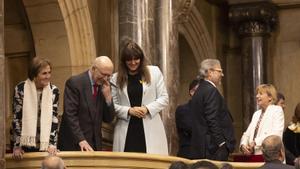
(80, 33)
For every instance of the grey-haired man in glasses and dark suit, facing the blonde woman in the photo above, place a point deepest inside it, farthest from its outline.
(212, 132)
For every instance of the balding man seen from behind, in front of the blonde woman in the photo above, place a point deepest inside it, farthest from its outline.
(273, 152)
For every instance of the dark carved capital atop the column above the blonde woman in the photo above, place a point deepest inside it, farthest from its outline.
(252, 19)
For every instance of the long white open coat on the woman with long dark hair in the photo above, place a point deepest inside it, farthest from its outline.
(155, 98)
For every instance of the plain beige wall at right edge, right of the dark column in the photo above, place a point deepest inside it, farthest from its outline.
(286, 58)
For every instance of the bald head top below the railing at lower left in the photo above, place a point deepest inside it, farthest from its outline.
(53, 162)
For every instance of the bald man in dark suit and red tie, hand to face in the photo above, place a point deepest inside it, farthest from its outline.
(87, 102)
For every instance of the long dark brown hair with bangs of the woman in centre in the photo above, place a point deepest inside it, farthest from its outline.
(130, 51)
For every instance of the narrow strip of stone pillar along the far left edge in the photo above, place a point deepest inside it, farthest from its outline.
(2, 88)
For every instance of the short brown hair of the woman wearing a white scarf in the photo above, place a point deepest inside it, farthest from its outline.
(37, 64)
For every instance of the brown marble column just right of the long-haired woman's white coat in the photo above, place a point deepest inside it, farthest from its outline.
(169, 15)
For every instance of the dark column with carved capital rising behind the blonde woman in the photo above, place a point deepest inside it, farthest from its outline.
(254, 23)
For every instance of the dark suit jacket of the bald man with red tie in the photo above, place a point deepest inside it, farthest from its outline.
(83, 115)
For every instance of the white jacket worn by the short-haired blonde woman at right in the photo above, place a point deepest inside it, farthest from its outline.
(272, 123)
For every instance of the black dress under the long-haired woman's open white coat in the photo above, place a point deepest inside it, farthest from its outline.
(135, 138)
